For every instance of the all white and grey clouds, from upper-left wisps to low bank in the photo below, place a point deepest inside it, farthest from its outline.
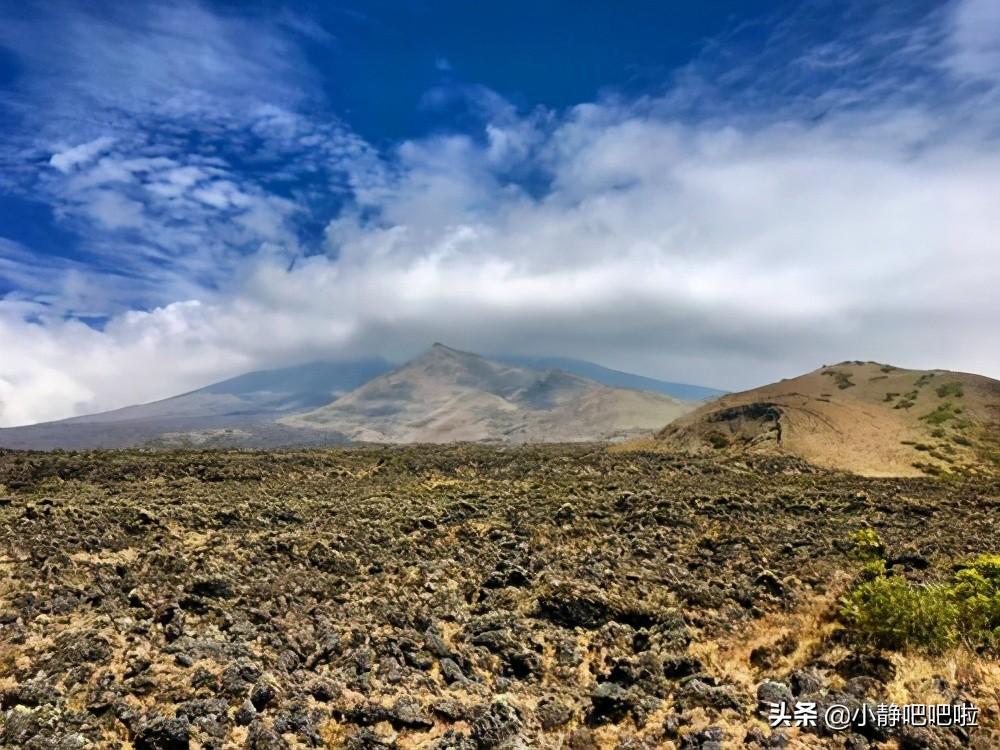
(685, 234)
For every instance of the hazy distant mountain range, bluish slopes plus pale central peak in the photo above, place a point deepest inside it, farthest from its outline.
(486, 400)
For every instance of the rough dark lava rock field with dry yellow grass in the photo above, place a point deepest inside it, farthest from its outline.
(459, 597)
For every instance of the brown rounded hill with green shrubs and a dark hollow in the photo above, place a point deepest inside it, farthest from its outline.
(864, 417)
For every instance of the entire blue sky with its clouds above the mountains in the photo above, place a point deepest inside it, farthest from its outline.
(719, 192)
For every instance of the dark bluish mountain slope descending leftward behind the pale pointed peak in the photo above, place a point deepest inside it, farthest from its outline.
(234, 407)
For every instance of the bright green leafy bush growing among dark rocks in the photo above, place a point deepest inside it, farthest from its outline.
(892, 612)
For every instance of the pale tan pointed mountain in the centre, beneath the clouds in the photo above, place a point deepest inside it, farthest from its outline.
(448, 395)
